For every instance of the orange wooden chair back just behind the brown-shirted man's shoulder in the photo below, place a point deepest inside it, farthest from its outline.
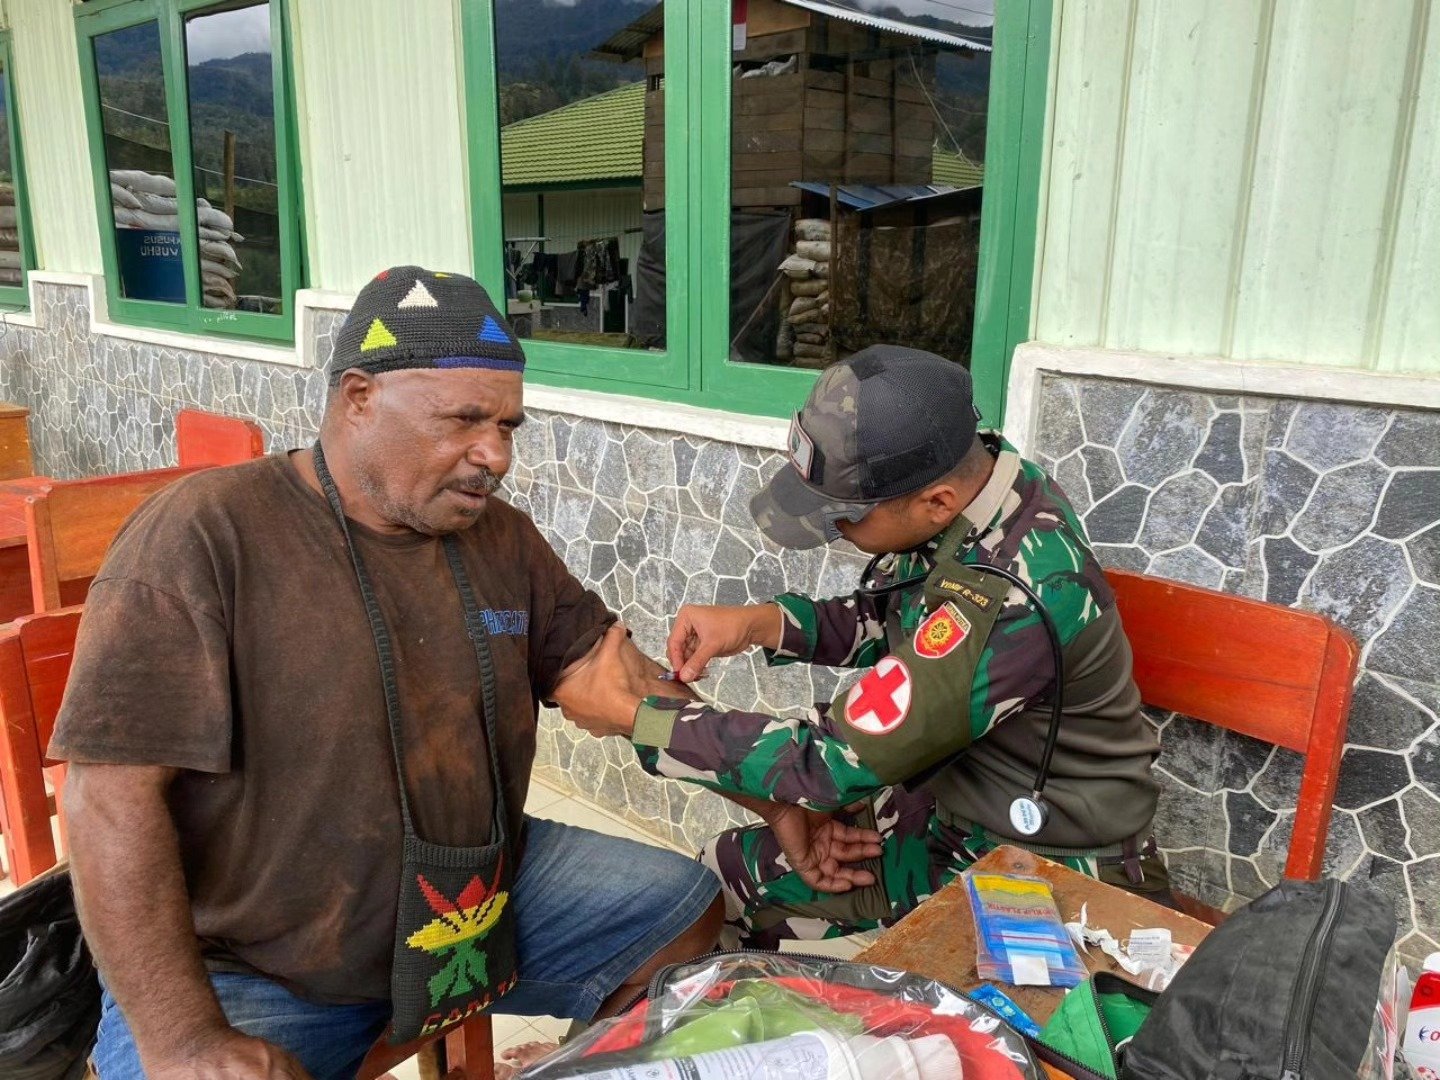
(71, 523)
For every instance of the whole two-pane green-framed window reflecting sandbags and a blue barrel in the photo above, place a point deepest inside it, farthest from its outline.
(191, 136)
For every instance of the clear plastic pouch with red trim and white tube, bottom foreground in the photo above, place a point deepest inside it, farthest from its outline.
(784, 1017)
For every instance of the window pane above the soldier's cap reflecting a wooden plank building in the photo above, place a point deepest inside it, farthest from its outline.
(858, 161)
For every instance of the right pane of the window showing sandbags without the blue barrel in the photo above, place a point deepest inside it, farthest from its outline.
(230, 70)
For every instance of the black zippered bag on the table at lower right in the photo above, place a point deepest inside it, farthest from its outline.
(1294, 987)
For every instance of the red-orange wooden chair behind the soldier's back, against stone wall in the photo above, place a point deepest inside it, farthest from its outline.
(1271, 673)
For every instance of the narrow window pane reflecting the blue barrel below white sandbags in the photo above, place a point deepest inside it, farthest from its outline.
(138, 155)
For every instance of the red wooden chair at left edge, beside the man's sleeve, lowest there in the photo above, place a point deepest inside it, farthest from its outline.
(35, 665)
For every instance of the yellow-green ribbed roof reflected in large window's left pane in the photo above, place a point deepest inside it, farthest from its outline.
(594, 139)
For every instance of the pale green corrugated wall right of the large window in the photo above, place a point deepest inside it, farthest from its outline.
(1255, 179)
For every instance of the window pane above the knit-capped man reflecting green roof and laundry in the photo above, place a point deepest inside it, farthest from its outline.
(582, 152)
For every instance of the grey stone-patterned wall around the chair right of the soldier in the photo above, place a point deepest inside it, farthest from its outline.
(1327, 508)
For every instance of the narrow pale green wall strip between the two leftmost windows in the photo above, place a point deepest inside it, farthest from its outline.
(53, 127)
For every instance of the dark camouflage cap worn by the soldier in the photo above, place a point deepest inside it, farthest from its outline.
(881, 424)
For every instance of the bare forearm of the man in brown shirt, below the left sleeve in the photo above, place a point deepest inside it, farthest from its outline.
(135, 908)
